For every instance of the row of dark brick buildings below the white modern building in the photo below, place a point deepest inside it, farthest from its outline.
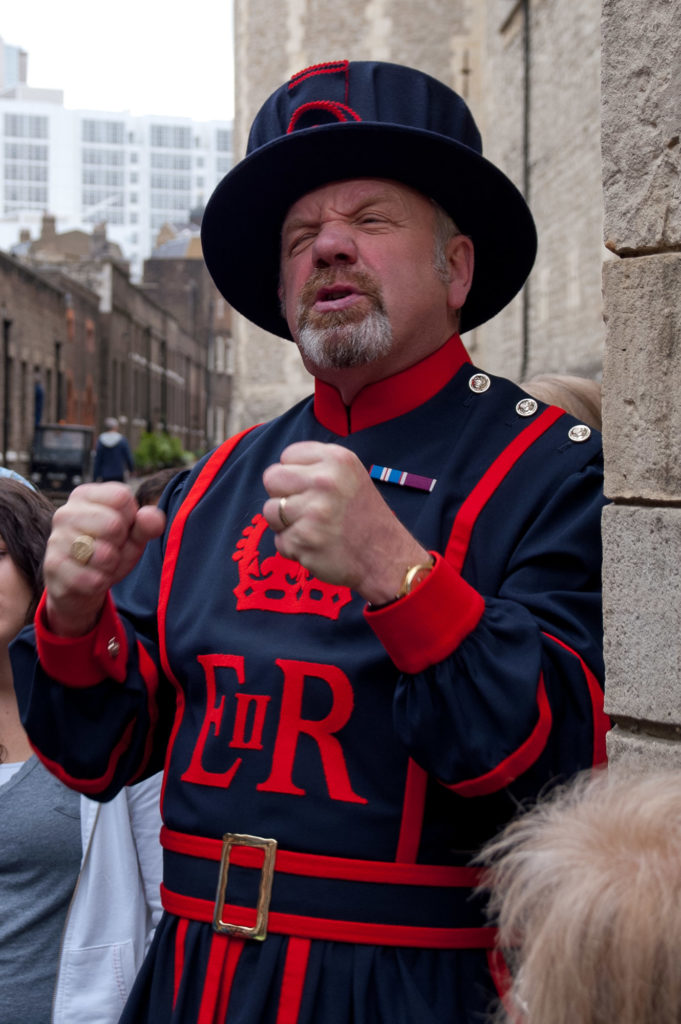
(74, 325)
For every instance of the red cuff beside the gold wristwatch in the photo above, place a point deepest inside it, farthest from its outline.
(427, 626)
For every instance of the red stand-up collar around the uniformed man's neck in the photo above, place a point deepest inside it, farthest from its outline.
(393, 397)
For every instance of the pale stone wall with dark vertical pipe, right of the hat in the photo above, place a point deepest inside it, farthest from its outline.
(546, 54)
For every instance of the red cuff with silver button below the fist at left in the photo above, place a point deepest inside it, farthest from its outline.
(88, 660)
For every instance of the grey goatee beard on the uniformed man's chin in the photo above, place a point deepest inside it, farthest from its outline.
(348, 345)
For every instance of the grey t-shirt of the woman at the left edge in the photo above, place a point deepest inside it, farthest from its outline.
(40, 856)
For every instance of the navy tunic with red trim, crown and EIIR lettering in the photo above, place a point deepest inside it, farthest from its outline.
(379, 748)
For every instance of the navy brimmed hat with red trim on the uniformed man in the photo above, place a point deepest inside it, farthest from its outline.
(363, 119)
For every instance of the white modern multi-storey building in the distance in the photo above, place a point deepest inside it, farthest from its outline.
(89, 167)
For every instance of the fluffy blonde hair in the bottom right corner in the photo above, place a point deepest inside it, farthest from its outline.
(587, 891)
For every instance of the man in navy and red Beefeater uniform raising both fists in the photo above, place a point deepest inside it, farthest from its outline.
(356, 636)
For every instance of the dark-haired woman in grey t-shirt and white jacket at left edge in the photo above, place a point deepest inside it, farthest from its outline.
(79, 881)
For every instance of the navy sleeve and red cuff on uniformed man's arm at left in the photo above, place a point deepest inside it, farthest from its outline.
(99, 732)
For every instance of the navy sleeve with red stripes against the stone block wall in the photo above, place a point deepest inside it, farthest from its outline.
(520, 701)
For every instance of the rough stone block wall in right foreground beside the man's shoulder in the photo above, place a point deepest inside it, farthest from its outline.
(642, 126)
